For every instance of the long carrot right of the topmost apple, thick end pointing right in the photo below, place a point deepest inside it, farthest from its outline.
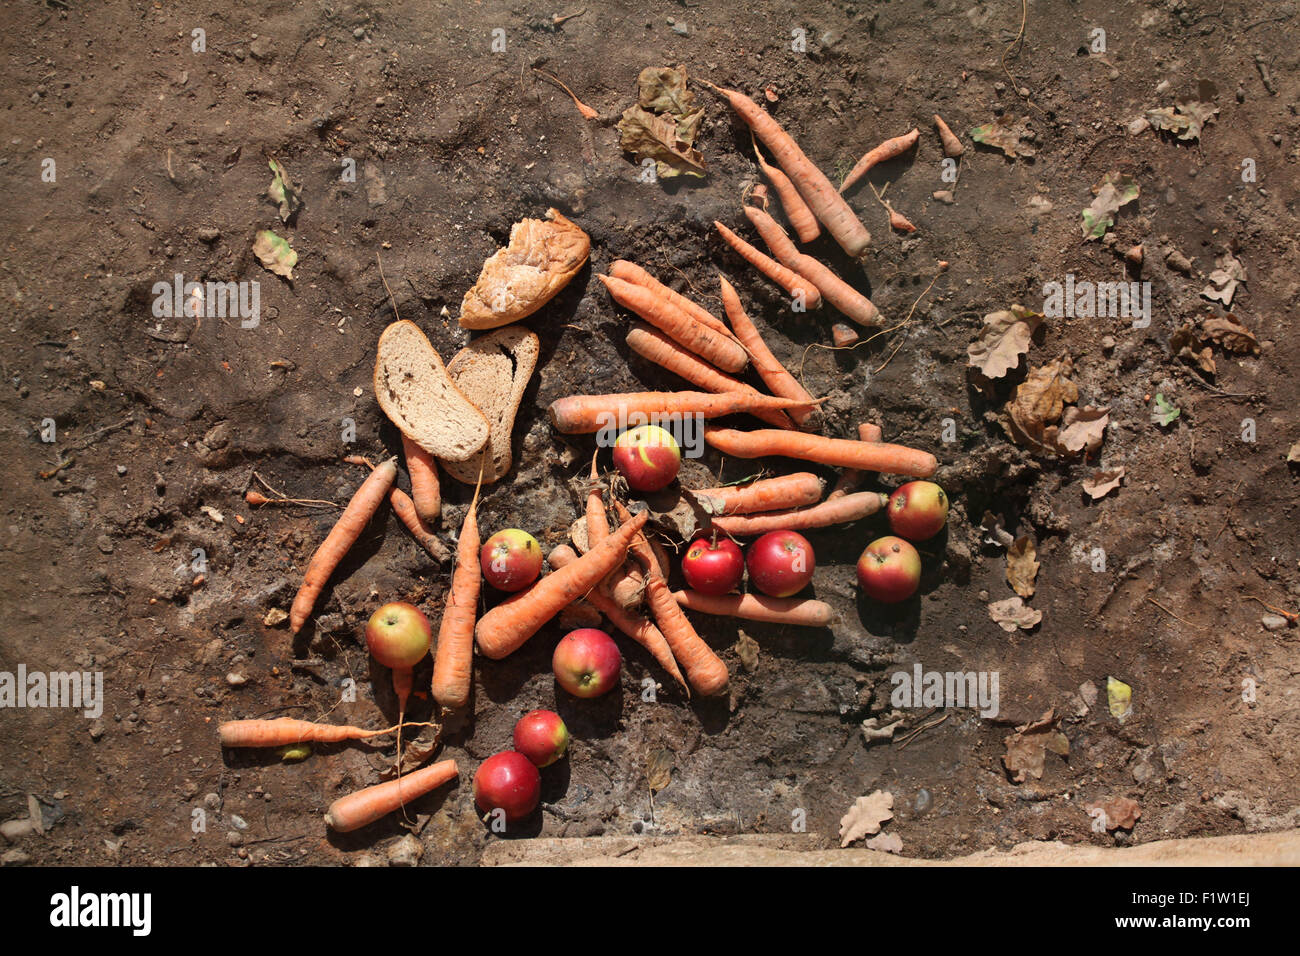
(895, 460)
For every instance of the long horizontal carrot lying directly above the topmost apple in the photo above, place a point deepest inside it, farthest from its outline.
(586, 414)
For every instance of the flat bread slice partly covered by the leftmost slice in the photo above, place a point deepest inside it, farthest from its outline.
(493, 374)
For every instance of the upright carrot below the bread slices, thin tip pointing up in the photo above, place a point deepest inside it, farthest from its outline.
(453, 664)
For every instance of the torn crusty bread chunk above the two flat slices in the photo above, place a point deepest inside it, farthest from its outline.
(517, 282)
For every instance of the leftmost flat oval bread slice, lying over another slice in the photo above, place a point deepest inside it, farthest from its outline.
(419, 397)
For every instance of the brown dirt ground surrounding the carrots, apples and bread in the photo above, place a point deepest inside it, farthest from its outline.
(161, 425)
